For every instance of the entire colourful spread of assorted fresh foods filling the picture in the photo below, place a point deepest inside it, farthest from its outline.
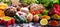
(45, 12)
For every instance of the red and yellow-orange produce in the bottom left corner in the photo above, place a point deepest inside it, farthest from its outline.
(7, 21)
